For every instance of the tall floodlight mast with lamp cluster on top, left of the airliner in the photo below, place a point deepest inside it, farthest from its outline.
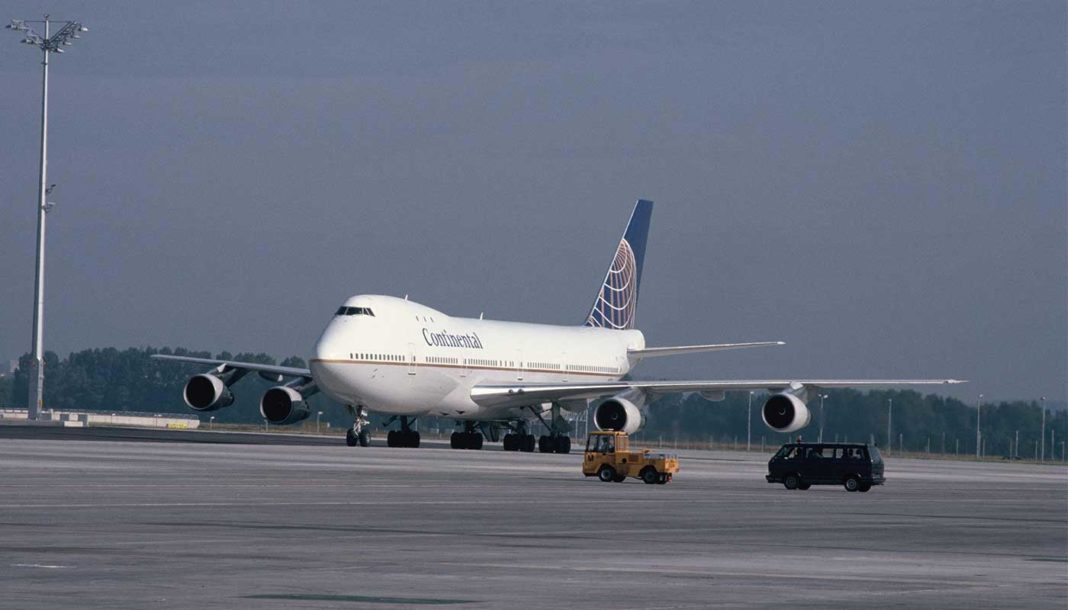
(49, 44)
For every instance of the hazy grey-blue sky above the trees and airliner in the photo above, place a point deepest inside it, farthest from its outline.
(883, 186)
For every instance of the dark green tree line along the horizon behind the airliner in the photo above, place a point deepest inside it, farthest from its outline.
(114, 381)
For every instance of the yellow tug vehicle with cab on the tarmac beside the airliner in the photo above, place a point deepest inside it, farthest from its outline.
(609, 458)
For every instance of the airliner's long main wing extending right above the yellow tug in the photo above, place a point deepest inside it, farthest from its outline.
(522, 395)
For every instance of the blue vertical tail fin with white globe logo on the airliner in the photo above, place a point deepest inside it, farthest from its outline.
(617, 303)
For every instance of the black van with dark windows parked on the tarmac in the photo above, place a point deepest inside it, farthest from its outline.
(802, 465)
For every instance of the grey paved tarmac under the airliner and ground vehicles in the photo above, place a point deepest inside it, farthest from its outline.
(241, 525)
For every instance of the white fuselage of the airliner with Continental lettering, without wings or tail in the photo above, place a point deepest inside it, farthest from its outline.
(399, 357)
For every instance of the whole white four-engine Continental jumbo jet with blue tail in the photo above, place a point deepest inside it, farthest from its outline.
(400, 358)
